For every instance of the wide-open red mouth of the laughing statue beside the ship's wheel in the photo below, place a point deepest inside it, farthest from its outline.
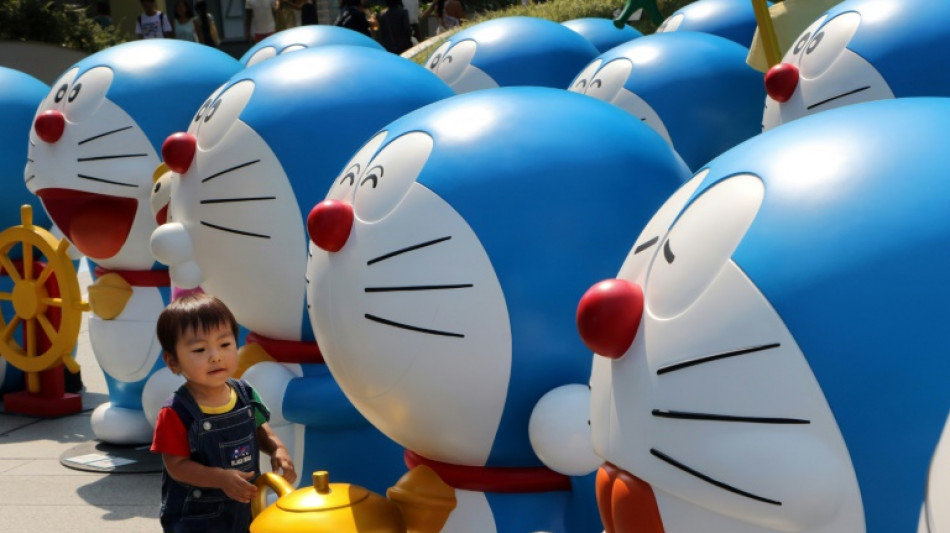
(97, 224)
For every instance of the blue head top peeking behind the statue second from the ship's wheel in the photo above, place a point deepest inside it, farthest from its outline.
(302, 37)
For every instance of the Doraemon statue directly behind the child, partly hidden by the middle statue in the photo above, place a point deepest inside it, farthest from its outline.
(260, 152)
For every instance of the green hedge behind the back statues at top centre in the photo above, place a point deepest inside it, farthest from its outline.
(556, 10)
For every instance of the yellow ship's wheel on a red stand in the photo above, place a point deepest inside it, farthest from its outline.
(40, 293)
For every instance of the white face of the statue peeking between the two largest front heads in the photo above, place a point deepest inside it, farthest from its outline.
(606, 82)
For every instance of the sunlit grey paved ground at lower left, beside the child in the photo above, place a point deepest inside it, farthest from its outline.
(40, 495)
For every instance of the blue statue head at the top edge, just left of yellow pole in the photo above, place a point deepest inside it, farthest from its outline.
(730, 19)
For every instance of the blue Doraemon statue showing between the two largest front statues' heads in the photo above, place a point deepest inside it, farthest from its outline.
(694, 89)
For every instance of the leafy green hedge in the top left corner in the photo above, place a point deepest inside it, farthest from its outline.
(46, 21)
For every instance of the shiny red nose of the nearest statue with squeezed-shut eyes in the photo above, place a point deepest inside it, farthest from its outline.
(609, 315)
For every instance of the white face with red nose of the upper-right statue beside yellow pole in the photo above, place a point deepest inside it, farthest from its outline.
(820, 72)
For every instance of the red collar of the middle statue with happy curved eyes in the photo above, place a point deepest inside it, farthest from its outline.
(493, 479)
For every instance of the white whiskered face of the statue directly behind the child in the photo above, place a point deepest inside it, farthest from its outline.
(235, 221)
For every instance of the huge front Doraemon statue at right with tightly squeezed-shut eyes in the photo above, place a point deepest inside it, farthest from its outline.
(771, 355)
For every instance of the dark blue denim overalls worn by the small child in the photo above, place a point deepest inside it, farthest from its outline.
(227, 440)
